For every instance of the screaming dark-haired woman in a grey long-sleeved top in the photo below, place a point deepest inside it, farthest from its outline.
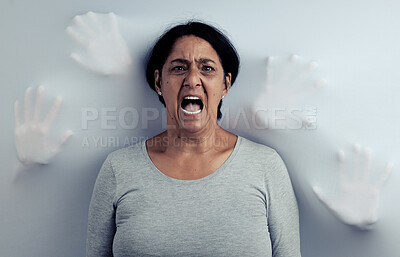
(195, 189)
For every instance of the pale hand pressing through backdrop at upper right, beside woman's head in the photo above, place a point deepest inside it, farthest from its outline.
(289, 82)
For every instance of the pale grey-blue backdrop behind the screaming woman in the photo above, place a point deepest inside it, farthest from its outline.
(356, 44)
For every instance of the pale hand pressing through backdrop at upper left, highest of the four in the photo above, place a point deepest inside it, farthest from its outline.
(106, 51)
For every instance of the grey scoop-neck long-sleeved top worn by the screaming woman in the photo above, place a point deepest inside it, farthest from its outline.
(245, 208)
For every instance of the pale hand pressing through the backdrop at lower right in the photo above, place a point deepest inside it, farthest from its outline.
(356, 200)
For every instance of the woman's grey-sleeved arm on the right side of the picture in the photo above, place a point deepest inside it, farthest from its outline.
(283, 217)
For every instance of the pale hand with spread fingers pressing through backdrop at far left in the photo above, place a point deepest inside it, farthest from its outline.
(32, 137)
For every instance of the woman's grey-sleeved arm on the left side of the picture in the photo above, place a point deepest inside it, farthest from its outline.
(101, 223)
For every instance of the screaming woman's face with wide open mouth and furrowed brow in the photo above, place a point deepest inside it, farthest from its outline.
(192, 84)
